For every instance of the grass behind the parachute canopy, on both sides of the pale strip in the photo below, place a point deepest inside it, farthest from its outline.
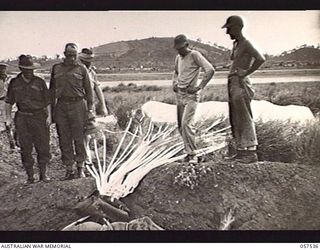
(282, 93)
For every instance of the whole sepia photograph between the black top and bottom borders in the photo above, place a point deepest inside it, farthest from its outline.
(160, 120)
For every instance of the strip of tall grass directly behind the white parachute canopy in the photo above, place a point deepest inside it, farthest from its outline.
(305, 93)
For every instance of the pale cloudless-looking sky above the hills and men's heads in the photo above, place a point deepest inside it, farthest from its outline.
(46, 32)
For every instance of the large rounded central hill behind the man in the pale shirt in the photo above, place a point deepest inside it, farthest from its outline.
(157, 53)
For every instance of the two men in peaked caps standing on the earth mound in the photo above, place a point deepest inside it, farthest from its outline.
(245, 60)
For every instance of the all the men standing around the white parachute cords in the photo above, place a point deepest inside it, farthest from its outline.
(69, 102)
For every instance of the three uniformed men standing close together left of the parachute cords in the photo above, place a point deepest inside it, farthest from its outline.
(68, 102)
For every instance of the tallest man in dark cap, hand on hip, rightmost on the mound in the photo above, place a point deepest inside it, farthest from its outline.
(245, 60)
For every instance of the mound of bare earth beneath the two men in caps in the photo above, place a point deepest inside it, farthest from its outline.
(263, 196)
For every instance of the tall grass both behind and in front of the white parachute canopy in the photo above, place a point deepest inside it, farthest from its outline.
(277, 142)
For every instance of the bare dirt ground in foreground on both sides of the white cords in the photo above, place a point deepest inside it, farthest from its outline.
(263, 196)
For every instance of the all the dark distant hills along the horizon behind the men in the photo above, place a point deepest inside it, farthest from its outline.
(157, 54)
